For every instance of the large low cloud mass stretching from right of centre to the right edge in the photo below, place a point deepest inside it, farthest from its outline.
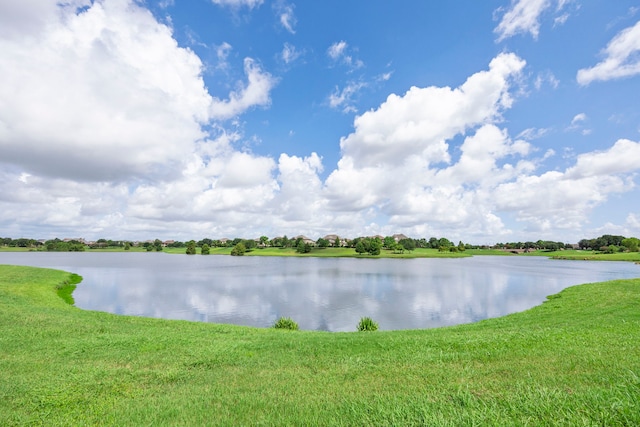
(399, 162)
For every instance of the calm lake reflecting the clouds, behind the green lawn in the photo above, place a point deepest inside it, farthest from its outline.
(329, 294)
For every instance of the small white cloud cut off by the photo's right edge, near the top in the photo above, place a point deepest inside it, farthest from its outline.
(621, 58)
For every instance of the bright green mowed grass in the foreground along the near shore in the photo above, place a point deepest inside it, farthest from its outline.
(574, 360)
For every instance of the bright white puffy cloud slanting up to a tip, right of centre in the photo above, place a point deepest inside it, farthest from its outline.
(420, 122)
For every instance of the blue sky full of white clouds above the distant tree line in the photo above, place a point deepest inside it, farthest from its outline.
(486, 121)
